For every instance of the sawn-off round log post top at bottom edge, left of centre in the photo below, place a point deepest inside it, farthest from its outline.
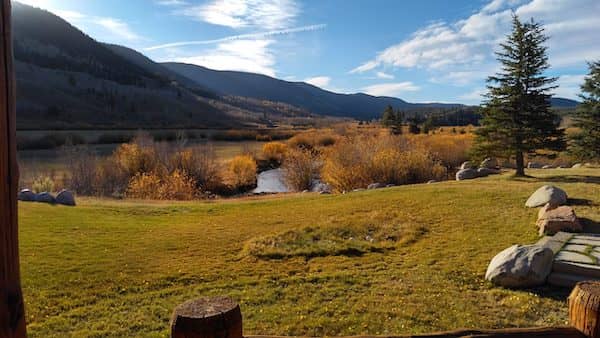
(214, 317)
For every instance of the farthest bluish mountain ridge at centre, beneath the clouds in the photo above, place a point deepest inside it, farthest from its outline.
(300, 94)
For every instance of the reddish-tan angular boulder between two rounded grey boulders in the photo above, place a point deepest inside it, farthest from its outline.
(552, 219)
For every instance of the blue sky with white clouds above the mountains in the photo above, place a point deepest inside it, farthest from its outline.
(420, 51)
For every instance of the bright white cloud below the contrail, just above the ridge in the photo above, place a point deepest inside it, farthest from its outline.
(243, 55)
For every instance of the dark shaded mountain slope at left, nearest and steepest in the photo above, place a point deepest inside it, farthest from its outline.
(65, 79)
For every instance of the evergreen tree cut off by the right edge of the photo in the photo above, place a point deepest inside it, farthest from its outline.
(585, 144)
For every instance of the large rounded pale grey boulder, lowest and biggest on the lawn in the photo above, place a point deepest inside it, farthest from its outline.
(520, 266)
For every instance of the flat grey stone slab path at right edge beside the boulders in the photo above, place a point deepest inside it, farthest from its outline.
(576, 258)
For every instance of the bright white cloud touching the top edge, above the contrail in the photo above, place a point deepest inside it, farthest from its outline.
(265, 14)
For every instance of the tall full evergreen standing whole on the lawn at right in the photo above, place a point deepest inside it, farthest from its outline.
(517, 119)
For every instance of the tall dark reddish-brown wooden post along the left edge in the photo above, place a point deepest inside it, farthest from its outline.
(12, 314)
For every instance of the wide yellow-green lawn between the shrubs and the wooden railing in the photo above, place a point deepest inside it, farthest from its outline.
(118, 268)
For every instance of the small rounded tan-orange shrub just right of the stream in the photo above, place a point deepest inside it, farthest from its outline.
(300, 168)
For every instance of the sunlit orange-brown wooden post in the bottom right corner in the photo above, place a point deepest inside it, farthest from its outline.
(584, 308)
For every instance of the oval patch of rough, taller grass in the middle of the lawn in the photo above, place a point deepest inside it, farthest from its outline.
(321, 241)
